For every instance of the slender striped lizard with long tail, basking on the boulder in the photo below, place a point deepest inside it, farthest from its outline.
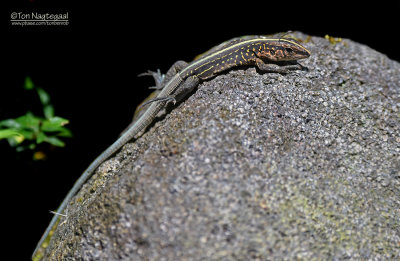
(278, 55)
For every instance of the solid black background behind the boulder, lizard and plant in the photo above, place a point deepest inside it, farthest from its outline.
(90, 70)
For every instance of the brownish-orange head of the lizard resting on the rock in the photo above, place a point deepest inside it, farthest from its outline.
(284, 50)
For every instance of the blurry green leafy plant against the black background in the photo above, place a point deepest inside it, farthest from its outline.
(29, 130)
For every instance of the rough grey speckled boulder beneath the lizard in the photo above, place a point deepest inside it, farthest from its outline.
(256, 167)
